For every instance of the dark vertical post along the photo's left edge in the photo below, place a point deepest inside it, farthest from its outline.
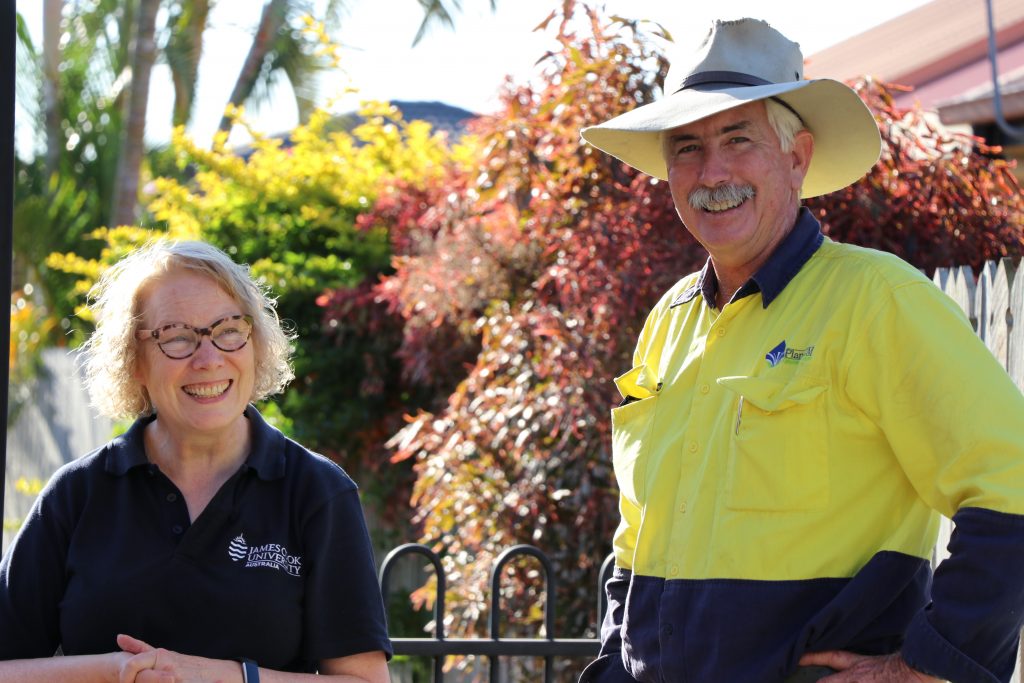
(9, 48)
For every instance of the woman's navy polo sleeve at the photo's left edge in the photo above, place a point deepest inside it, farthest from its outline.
(33, 579)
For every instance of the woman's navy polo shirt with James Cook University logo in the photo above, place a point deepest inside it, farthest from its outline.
(278, 568)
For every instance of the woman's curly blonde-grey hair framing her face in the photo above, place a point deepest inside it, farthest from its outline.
(111, 356)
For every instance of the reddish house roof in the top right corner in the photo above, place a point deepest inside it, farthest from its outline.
(940, 50)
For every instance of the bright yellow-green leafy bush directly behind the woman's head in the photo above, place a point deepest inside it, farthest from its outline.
(288, 211)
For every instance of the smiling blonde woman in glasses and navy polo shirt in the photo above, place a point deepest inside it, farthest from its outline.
(202, 544)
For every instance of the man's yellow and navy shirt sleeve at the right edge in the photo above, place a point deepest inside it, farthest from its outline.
(956, 423)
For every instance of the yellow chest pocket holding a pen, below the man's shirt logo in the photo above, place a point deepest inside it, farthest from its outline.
(779, 441)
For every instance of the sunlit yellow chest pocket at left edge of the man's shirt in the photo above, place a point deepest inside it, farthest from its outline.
(631, 424)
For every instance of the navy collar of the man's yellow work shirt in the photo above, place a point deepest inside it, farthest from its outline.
(784, 265)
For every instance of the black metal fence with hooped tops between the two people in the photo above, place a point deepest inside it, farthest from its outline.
(494, 648)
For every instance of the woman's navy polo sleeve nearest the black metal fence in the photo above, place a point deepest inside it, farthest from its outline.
(345, 612)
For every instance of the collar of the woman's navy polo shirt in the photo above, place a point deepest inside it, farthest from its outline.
(267, 457)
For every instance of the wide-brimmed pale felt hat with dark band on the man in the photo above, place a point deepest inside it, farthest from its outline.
(742, 62)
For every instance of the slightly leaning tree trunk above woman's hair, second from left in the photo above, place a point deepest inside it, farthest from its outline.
(133, 146)
